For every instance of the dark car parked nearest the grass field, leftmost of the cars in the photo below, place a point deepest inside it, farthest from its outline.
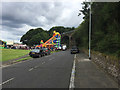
(36, 53)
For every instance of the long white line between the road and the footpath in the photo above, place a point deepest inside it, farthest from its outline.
(71, 86)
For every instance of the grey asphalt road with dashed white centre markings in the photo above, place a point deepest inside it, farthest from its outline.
(52, 71)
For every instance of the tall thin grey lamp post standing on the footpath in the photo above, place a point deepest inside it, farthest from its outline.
(90, 18)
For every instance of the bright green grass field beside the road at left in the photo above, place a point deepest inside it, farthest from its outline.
(9, 54)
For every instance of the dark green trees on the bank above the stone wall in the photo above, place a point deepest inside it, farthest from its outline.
(105, 28)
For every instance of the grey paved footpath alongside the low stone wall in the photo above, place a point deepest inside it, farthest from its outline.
(89, 75)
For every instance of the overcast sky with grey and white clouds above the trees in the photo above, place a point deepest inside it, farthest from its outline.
(19, 17)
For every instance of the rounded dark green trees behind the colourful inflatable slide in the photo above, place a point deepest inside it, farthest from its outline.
(34, 36)
